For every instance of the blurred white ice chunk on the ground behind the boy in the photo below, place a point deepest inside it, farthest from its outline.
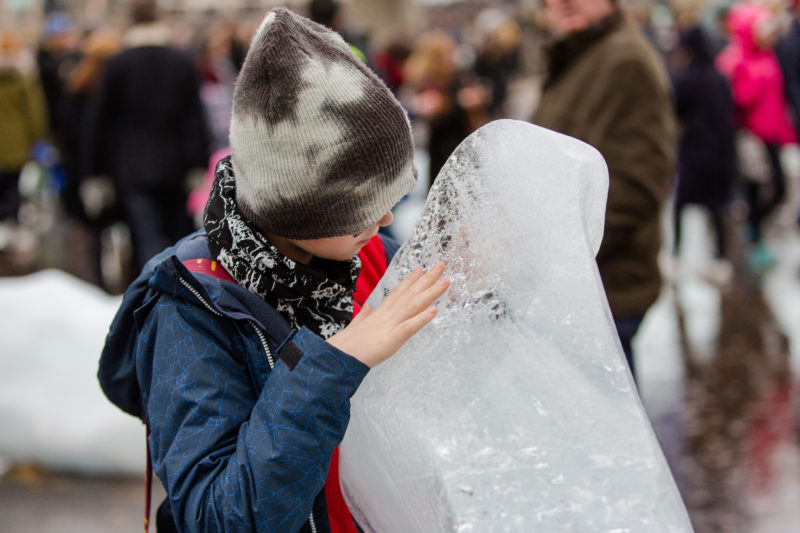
(52, 410)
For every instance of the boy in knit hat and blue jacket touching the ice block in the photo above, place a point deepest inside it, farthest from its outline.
(220, 345)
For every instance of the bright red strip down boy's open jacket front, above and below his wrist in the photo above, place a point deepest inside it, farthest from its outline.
(373, 266)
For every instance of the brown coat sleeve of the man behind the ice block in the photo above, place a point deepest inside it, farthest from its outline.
(635, 131)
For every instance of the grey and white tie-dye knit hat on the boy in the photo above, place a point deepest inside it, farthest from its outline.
(320, 147)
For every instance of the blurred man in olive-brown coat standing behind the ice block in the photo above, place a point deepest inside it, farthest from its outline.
(607, 86)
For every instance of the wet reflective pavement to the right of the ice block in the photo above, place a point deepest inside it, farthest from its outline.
(725, 409)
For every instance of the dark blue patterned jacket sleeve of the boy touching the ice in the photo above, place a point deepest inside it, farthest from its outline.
(233, 457)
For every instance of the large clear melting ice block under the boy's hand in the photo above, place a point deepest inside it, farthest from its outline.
(514, 409)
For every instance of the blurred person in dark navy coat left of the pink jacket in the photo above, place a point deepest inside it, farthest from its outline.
(706, 152)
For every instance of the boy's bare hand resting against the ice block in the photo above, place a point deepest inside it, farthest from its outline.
(374, 336)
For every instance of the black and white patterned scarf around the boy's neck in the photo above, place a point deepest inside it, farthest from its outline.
(319, 296)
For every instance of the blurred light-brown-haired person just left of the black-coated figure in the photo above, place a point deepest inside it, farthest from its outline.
(94, 202)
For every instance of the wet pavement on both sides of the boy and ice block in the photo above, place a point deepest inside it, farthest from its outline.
(718, 376)
